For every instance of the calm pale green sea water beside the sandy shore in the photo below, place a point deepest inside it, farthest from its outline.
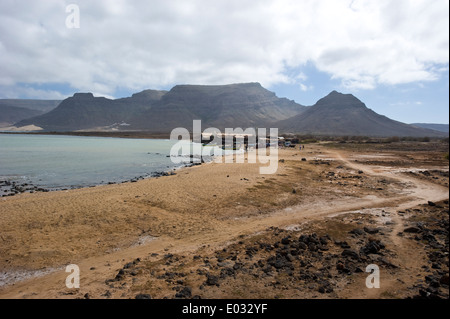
(70, 161)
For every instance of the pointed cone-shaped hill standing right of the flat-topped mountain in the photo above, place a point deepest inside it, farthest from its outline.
(344, 114)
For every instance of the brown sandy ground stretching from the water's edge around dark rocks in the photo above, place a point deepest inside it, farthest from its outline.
(182, 223)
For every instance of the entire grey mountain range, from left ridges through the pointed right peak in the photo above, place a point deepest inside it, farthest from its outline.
(221, 106)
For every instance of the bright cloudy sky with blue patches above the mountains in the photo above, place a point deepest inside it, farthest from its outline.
(391, 54)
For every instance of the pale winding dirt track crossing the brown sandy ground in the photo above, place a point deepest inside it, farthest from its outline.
(95, 270)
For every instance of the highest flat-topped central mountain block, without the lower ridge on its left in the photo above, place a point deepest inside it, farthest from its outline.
(235, 105)
